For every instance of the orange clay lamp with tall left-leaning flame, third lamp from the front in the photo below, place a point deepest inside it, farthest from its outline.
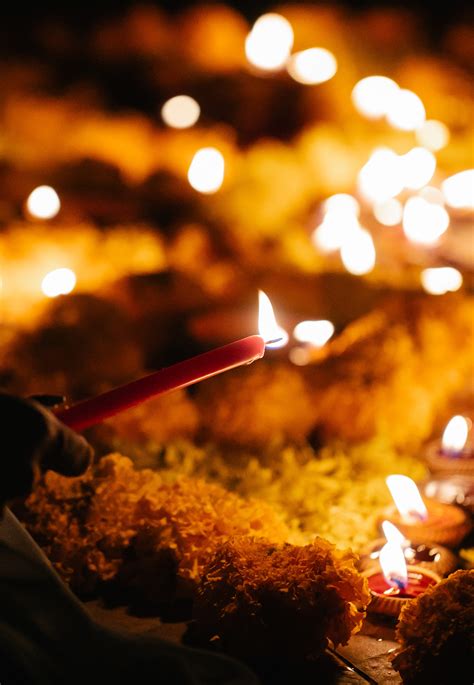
(427, 521)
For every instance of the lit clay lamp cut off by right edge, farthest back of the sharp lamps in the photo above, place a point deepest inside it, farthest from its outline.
(453, 454)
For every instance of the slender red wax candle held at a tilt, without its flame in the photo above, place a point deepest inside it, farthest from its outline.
(92, 411)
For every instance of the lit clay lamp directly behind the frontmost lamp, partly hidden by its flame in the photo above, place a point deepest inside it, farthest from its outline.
(432, 557)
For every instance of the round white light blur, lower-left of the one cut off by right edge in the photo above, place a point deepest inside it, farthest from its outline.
(424, 222)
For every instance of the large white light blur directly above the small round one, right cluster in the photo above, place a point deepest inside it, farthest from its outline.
(382, 176)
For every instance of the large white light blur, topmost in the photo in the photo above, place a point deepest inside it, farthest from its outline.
(269, 43)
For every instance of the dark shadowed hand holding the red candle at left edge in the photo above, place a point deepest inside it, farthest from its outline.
(33, 440)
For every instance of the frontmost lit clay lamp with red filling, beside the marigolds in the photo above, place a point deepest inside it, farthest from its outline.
(393, 583)
